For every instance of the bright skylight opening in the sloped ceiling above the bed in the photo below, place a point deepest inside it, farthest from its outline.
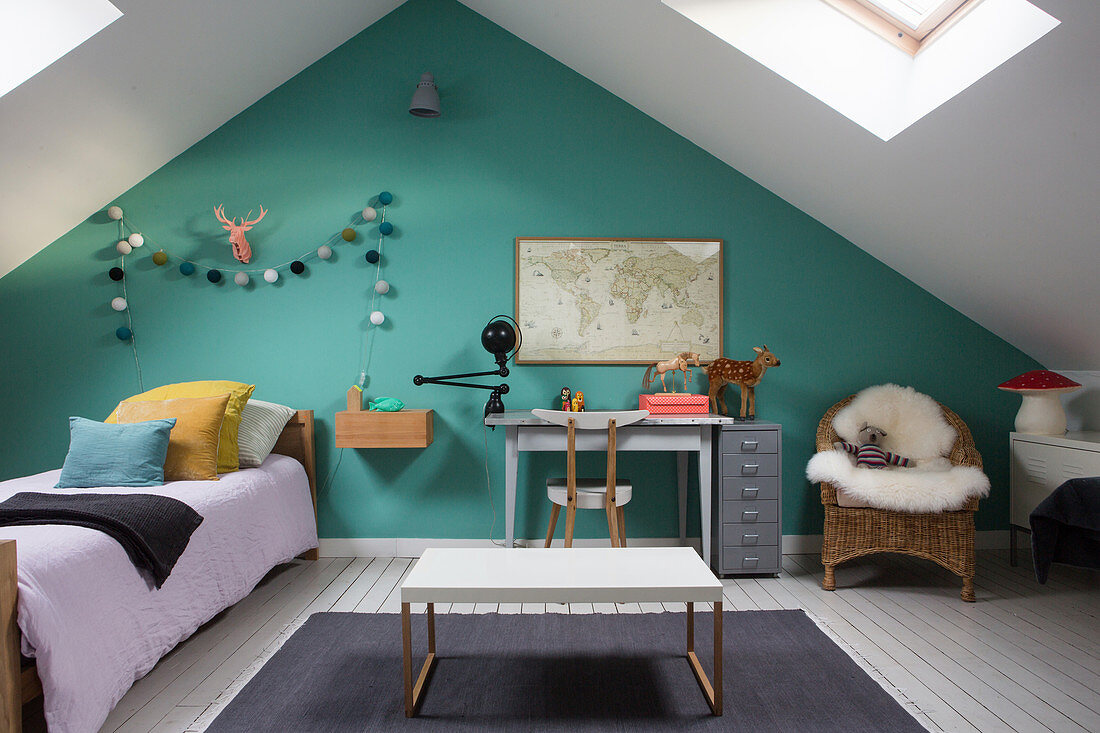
(36, 34)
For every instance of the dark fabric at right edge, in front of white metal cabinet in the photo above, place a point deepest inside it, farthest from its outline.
(1066, 527)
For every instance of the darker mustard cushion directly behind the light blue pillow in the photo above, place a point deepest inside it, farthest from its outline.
(193, 444)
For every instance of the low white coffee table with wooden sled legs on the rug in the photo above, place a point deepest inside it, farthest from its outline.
(629, 575)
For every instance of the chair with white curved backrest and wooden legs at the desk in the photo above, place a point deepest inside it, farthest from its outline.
(610, 495)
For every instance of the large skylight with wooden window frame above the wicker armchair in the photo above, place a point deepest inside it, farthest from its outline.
(875, 84)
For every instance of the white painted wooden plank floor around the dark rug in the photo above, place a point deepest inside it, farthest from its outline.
(1025, 658)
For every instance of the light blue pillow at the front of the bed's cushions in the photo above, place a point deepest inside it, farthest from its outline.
(104, 455)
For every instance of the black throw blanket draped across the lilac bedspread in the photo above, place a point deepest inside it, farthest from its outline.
(155, 531)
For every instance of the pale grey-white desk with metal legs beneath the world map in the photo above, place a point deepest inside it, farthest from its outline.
(683, 434)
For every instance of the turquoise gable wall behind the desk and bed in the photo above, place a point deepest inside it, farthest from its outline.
(526, 147)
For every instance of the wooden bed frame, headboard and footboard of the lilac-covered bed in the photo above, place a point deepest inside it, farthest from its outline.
(18, 687)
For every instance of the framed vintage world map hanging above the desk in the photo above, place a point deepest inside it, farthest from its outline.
(618, 301)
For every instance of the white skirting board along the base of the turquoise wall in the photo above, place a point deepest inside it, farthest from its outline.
(416, 546)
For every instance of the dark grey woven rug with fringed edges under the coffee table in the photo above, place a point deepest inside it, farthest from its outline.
(343, 672)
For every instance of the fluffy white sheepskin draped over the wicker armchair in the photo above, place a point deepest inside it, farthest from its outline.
(916, 429)
